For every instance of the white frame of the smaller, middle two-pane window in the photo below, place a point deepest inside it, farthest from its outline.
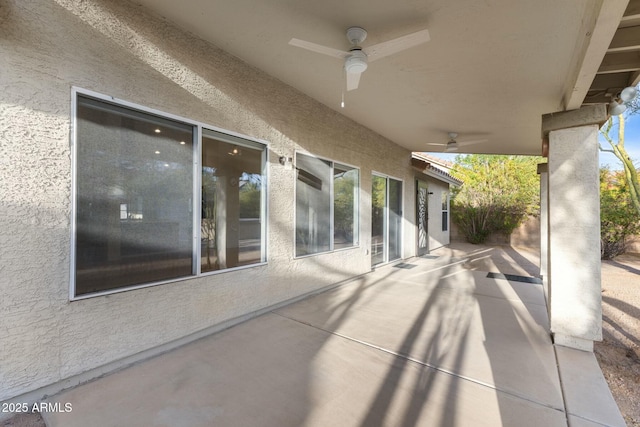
(356, 202)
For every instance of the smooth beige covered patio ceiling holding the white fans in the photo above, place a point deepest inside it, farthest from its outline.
(489, 72)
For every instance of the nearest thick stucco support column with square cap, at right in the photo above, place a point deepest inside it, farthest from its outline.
(575, 304)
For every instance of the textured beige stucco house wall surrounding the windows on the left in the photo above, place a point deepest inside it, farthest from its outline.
(117, 49)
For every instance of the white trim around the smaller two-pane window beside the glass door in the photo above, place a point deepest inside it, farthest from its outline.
(356, 245)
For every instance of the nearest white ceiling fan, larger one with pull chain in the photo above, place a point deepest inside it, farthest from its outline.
(356, 59)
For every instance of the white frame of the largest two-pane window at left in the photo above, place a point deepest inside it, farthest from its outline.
(196, 194)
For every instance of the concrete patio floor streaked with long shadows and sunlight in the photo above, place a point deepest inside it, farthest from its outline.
(436, 343)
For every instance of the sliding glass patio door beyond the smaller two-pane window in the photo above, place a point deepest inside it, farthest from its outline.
(386, 219)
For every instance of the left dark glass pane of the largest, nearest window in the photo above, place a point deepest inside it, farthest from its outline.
(133, 195)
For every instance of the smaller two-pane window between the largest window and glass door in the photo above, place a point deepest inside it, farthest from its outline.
(326, 205)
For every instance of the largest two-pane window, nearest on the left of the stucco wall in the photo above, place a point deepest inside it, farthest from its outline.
(136, 198)
